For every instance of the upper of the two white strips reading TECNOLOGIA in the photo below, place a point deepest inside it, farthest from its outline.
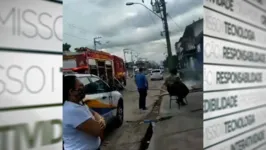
(218, 25)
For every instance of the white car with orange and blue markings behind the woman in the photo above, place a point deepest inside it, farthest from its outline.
(103, 99)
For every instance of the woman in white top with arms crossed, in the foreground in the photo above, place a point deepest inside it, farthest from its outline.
(81, 126)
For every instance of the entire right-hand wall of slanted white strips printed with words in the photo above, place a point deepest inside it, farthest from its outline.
(234, 75)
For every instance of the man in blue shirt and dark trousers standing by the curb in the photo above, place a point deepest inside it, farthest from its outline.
(142, 85)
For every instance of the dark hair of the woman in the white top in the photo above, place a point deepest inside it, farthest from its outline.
(68, 84)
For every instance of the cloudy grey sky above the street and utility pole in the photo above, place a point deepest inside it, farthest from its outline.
(132, 27)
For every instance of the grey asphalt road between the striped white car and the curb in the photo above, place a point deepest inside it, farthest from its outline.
(129, 135)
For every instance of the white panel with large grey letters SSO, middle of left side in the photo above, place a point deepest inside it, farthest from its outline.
(30, 79)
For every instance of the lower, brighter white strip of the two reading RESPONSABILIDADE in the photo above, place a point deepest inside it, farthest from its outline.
(225, 77)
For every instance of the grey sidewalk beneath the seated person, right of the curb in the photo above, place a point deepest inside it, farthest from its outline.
(184, 130)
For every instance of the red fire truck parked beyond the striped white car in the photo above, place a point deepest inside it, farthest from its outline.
(96, 62)
